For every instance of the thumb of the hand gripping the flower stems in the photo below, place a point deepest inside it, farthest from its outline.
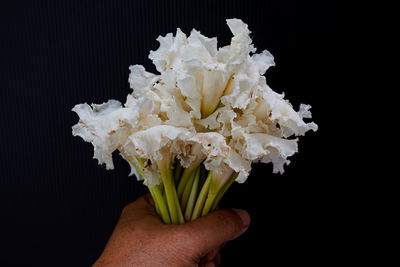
(214, 229)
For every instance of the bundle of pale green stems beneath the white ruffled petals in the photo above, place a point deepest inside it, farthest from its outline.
(186, 193)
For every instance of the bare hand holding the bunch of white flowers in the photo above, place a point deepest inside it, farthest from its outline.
(141, 239)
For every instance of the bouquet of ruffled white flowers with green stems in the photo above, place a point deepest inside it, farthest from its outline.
(195, 128)
